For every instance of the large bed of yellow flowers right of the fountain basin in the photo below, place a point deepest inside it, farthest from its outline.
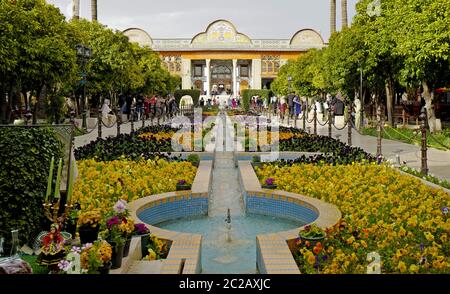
(397, 216)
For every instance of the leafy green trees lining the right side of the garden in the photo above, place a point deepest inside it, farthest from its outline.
(406, 46)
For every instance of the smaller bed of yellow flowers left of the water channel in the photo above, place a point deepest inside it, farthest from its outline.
(101, 184)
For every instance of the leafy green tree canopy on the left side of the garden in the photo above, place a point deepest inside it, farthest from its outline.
(39, 63)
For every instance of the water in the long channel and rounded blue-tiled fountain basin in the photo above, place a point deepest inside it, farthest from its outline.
(226, 249)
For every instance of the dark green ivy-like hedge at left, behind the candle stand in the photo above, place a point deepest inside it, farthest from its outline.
(25, 162)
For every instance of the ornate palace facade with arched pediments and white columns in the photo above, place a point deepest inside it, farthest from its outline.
(223, 61)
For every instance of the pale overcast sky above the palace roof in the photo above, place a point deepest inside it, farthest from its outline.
(259, 19)
